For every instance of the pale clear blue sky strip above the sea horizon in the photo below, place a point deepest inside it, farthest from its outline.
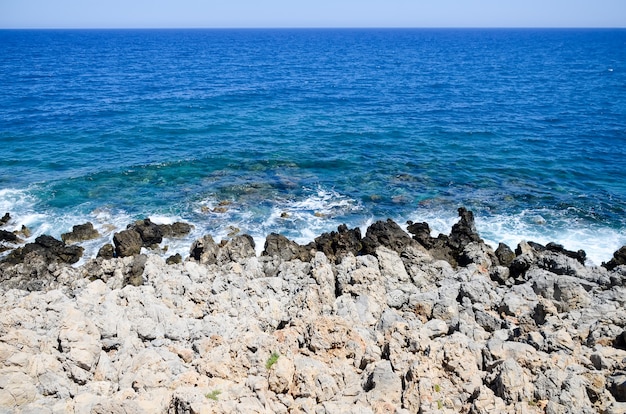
(310, 13)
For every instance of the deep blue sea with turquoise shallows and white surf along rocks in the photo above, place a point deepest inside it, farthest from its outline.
(297, 131)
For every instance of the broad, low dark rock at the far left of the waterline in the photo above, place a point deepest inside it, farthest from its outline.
(49, 248)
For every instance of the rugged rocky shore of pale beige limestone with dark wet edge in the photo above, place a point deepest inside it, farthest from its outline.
(388, 322)
